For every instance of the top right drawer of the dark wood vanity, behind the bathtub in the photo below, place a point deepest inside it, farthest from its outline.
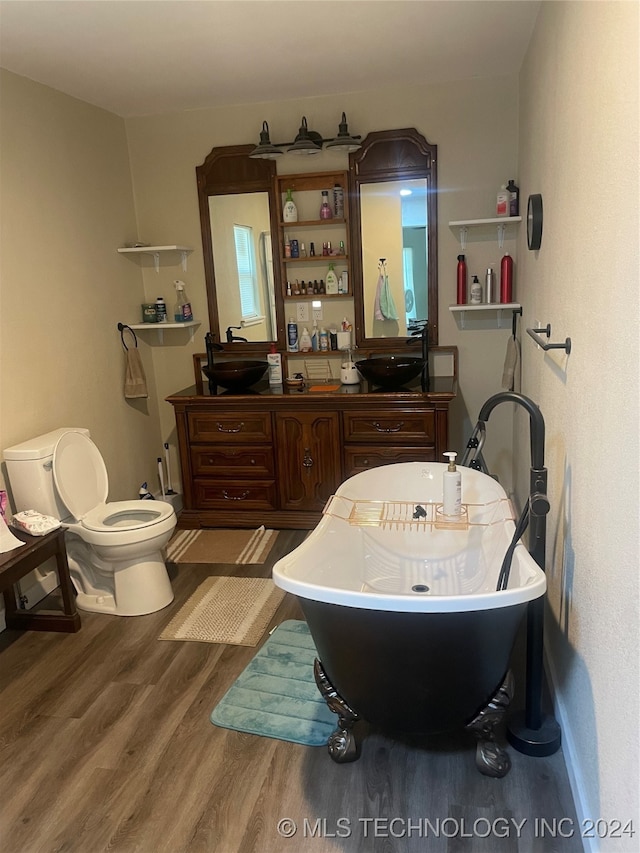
(390, 427)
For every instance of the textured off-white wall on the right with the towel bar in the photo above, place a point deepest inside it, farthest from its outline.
(579, 148)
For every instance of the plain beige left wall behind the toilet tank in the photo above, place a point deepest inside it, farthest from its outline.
(67, 204)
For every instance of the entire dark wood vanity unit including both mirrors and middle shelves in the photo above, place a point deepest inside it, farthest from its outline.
(274, 457)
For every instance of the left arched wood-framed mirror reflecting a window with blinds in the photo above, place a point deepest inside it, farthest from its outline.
(236, 197)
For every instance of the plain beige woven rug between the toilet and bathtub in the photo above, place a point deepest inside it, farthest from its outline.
(226, 610)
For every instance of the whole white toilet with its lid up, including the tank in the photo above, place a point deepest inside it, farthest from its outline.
(114, 549)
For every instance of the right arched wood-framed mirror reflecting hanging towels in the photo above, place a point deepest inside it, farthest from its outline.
(394, 237)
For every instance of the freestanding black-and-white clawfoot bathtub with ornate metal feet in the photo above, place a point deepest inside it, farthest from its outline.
(401, 602)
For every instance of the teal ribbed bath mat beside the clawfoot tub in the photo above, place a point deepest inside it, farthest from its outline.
(276, 695)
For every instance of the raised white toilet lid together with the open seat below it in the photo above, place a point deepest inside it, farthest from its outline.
(82, 482)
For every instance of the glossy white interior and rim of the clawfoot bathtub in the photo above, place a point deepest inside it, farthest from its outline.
(370, 550)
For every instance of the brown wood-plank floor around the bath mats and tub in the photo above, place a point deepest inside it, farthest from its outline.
(106, 745)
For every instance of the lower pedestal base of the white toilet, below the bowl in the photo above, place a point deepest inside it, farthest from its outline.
(121, 588)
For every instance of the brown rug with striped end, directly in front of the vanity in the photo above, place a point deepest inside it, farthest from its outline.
(221, 546)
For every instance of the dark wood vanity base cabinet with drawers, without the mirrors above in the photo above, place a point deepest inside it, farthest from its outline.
(274, 457)
